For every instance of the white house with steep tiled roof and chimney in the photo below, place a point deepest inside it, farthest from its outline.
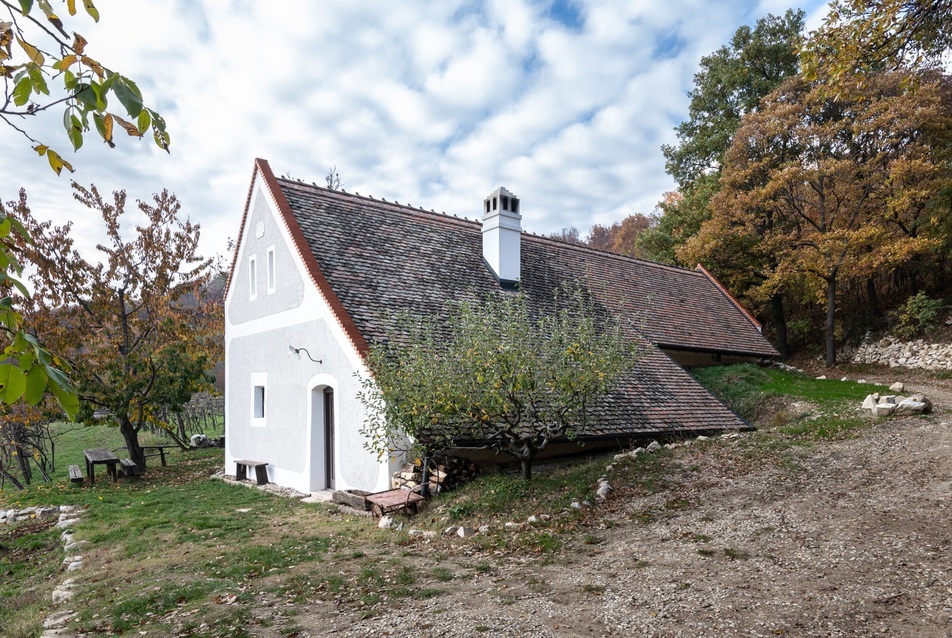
(317, 273)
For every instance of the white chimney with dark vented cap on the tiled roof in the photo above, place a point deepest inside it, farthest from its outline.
(502, 229)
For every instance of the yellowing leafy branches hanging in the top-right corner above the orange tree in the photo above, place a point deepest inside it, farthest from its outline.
(869, 36)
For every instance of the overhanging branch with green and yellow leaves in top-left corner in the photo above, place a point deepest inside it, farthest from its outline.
(44, 68)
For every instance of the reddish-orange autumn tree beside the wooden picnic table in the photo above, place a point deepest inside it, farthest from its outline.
(133, 322)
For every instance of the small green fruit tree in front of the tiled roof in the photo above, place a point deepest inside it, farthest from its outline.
(494, 374)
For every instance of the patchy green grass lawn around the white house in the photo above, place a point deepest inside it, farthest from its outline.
(175, 553)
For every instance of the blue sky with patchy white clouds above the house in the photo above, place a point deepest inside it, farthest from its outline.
(565, 103)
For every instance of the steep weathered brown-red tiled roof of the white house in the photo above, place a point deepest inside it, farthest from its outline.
(380, 258)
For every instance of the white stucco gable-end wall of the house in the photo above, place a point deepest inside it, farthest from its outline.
(258, 333)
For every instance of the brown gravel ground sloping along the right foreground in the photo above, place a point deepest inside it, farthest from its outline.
(848, 538)
